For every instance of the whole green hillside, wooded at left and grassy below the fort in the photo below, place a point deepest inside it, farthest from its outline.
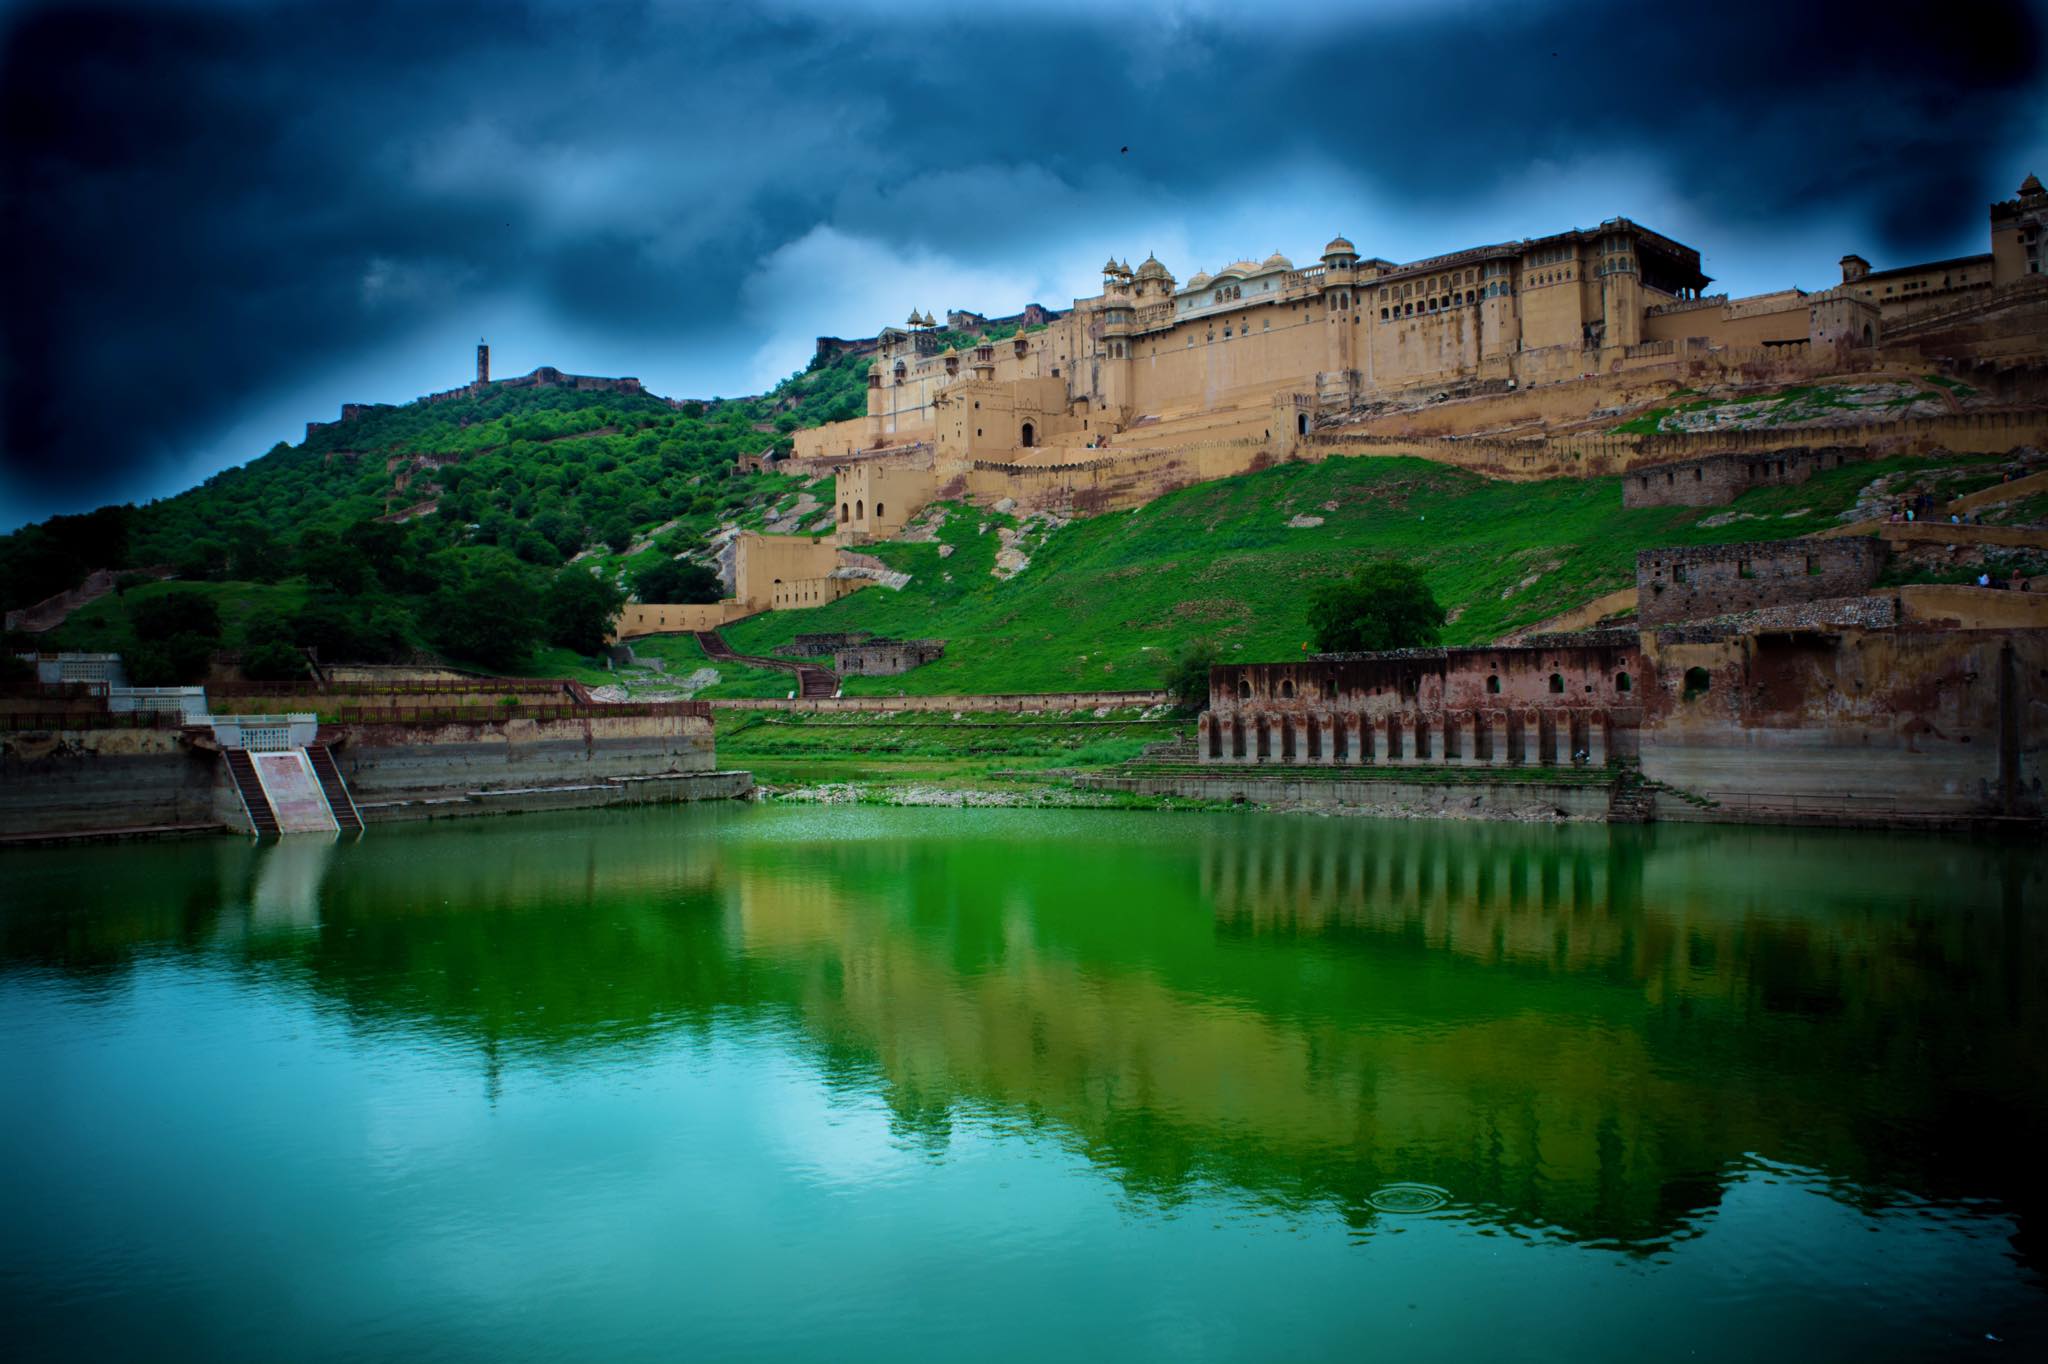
(546, 505)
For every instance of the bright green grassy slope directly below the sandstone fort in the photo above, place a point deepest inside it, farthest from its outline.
(1107, 601)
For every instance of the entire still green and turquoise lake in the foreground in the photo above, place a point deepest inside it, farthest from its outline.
(876, 1084)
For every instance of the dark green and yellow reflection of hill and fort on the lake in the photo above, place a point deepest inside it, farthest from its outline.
(1564, 1029)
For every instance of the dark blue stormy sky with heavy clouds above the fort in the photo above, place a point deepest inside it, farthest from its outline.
(226, 220)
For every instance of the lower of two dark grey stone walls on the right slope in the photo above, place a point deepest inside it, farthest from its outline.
(1711, 581)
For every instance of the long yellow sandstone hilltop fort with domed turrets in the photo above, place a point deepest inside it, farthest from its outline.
(1510, 359)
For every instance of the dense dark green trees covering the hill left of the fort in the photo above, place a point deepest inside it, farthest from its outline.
(519, 482)
